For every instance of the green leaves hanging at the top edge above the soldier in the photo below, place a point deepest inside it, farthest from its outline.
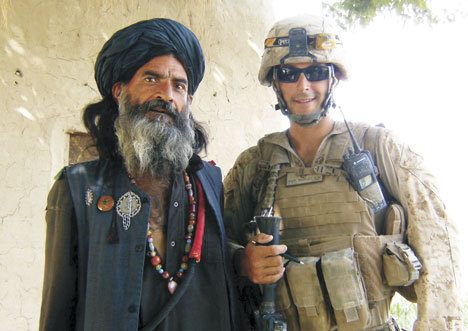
(350, 12)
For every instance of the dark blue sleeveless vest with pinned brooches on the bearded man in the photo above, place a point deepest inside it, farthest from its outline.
(110, 275)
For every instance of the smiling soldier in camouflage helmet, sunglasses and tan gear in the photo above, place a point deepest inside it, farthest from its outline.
(357, 205)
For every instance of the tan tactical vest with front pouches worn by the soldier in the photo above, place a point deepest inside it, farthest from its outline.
(329, 226)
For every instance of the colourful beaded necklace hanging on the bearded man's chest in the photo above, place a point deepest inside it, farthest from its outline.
(154, 254)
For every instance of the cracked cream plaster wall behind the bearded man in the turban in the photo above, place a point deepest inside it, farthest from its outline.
(47, 53)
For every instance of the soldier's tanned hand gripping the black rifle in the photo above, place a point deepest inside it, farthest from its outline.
(262, 264)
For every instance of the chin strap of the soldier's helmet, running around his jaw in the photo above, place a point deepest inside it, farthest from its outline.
(307, 119)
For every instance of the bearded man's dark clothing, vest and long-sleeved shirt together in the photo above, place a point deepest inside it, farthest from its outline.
(93, 284)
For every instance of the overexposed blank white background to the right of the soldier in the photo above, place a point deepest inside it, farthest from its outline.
(412, 78)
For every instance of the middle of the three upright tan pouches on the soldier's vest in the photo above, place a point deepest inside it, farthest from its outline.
(345, 289)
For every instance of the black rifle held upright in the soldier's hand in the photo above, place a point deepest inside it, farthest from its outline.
(266, 317)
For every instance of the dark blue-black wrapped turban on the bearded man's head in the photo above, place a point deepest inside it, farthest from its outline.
(130, 48)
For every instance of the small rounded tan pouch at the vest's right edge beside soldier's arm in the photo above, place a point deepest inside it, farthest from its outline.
(400, 264)
